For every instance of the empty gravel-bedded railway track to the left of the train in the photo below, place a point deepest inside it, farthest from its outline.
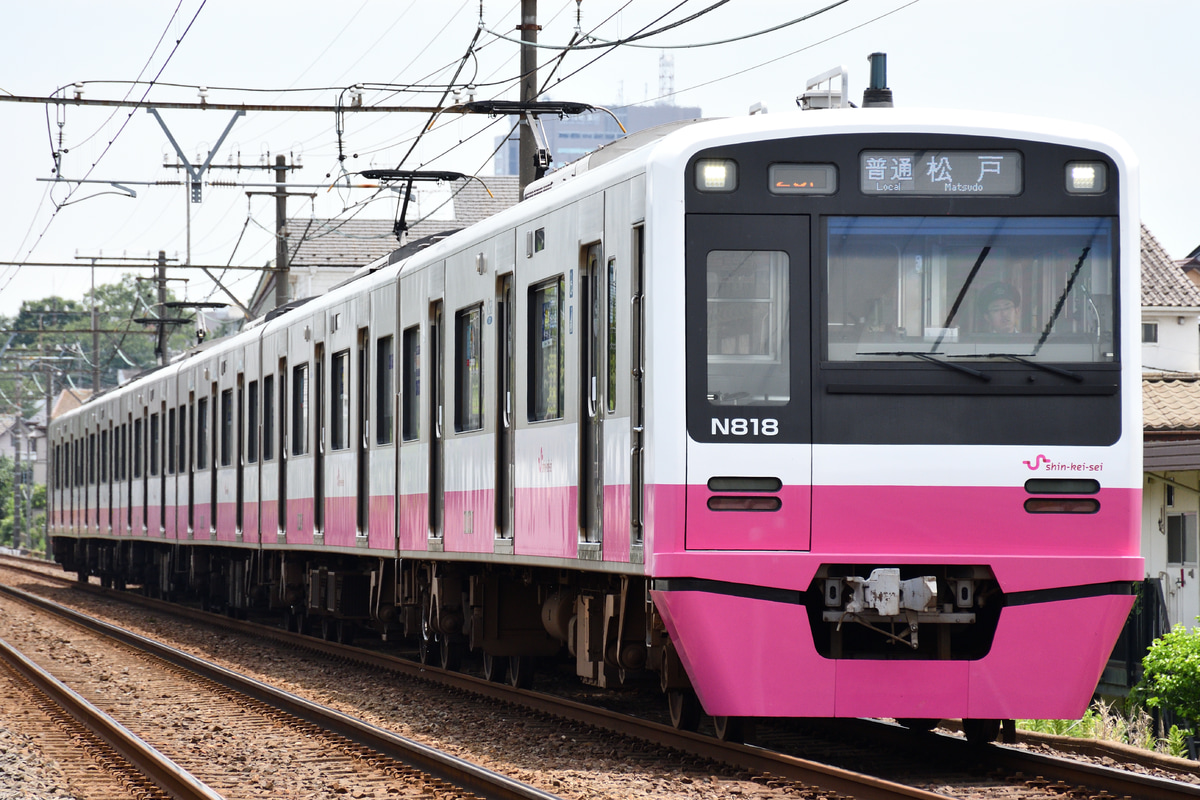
(236, 732)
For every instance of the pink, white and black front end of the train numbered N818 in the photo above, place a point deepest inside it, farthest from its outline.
(911, 482)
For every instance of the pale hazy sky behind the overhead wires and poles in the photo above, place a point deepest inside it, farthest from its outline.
(1123, 65)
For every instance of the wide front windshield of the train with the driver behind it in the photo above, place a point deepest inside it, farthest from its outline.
(973, 288)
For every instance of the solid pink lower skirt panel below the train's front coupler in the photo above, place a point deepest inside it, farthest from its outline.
(755, 658)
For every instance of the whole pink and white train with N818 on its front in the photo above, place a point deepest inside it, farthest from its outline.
(824, 414)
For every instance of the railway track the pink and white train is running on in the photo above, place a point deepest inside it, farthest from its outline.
(902, 765)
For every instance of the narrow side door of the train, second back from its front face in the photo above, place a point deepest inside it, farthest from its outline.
(593, 378)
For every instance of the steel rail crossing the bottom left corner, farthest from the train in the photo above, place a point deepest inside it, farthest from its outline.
(164, 773)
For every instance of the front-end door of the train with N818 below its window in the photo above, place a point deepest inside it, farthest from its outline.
(749, 460)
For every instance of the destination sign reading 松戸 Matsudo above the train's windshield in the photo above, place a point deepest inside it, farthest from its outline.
(941, 172)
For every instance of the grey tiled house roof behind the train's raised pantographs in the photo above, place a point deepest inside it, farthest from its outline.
(355, 243)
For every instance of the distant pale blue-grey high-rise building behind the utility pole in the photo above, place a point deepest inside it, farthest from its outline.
(573, 137)
